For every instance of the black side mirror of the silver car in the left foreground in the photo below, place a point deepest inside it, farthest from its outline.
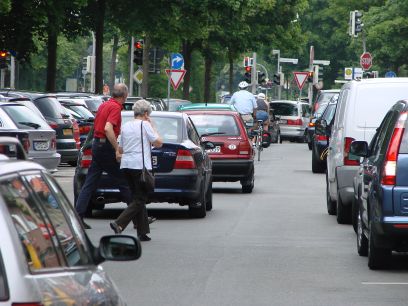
(119, 248)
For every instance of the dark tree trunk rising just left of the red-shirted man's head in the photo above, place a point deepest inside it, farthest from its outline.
(100, 18)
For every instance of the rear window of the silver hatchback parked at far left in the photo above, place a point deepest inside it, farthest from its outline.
(24, 118)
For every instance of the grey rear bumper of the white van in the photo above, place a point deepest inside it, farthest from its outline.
(345, 176)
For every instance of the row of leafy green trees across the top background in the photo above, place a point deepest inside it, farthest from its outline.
(53, 35)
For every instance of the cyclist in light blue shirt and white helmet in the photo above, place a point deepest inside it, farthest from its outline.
(245, 103)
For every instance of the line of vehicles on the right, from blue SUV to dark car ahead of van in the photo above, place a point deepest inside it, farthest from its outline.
(366, 180)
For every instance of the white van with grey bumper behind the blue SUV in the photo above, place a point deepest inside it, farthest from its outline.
(361, 107)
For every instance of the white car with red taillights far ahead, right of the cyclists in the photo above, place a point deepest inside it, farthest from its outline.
(293, 116)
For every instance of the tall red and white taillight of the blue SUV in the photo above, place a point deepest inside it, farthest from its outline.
(390, 165)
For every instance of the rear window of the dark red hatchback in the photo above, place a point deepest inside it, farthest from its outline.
(223, 124)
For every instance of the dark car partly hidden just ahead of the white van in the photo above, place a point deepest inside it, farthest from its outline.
(321, 138)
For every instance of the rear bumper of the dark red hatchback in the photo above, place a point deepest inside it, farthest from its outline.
(231, 170)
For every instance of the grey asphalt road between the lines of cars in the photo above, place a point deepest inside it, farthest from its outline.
(276, 246)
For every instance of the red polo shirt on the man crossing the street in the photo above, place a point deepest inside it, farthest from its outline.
(108, 112)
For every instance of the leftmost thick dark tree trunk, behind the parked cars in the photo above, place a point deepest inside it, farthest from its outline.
(51, 58)
